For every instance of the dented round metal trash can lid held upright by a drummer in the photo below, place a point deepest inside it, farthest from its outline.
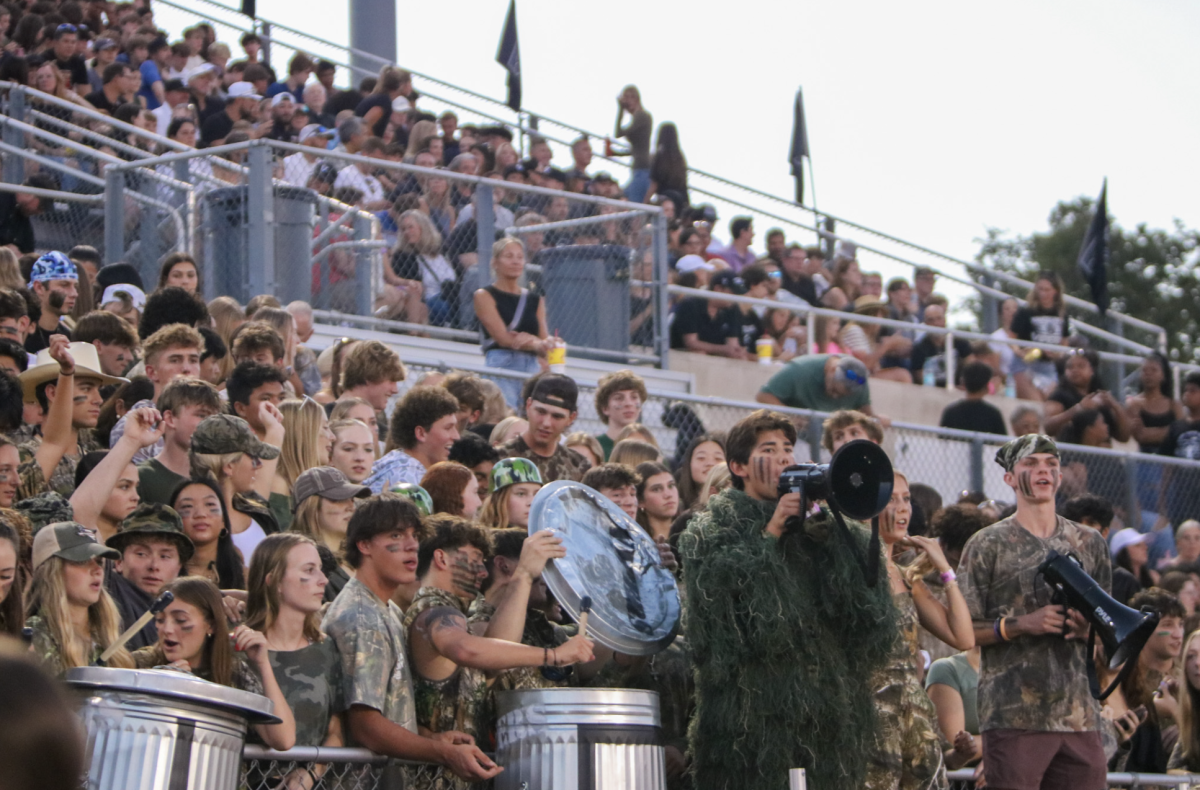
(635, 602)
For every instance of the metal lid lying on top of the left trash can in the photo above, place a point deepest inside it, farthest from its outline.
(177, 686)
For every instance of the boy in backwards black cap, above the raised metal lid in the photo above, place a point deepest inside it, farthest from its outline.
(551, 410)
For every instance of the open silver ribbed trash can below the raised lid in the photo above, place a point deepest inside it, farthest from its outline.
(580, 739)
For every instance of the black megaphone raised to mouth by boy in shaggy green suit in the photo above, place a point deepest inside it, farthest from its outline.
(857, 481)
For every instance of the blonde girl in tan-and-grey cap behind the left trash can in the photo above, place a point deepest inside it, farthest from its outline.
(69, 590)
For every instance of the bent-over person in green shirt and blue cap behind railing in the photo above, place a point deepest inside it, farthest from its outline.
(820, 382)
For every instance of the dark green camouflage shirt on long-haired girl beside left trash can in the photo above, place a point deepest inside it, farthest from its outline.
(311, 681)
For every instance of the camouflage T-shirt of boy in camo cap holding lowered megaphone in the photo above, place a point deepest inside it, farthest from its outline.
(1033, 683)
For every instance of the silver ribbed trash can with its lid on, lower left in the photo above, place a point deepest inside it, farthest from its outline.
(164, 731)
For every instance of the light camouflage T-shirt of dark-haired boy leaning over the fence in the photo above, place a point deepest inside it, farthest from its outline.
(370, 639)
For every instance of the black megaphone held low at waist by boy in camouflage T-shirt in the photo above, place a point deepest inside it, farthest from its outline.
(1123, 631)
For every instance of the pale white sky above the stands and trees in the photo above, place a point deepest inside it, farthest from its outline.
(928, 121)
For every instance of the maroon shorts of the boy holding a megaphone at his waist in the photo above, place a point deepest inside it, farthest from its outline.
(1036, 761)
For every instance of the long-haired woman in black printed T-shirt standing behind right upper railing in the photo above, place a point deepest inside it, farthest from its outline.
(1043, 320)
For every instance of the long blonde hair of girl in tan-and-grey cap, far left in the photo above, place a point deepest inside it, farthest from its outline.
(50, 597)
